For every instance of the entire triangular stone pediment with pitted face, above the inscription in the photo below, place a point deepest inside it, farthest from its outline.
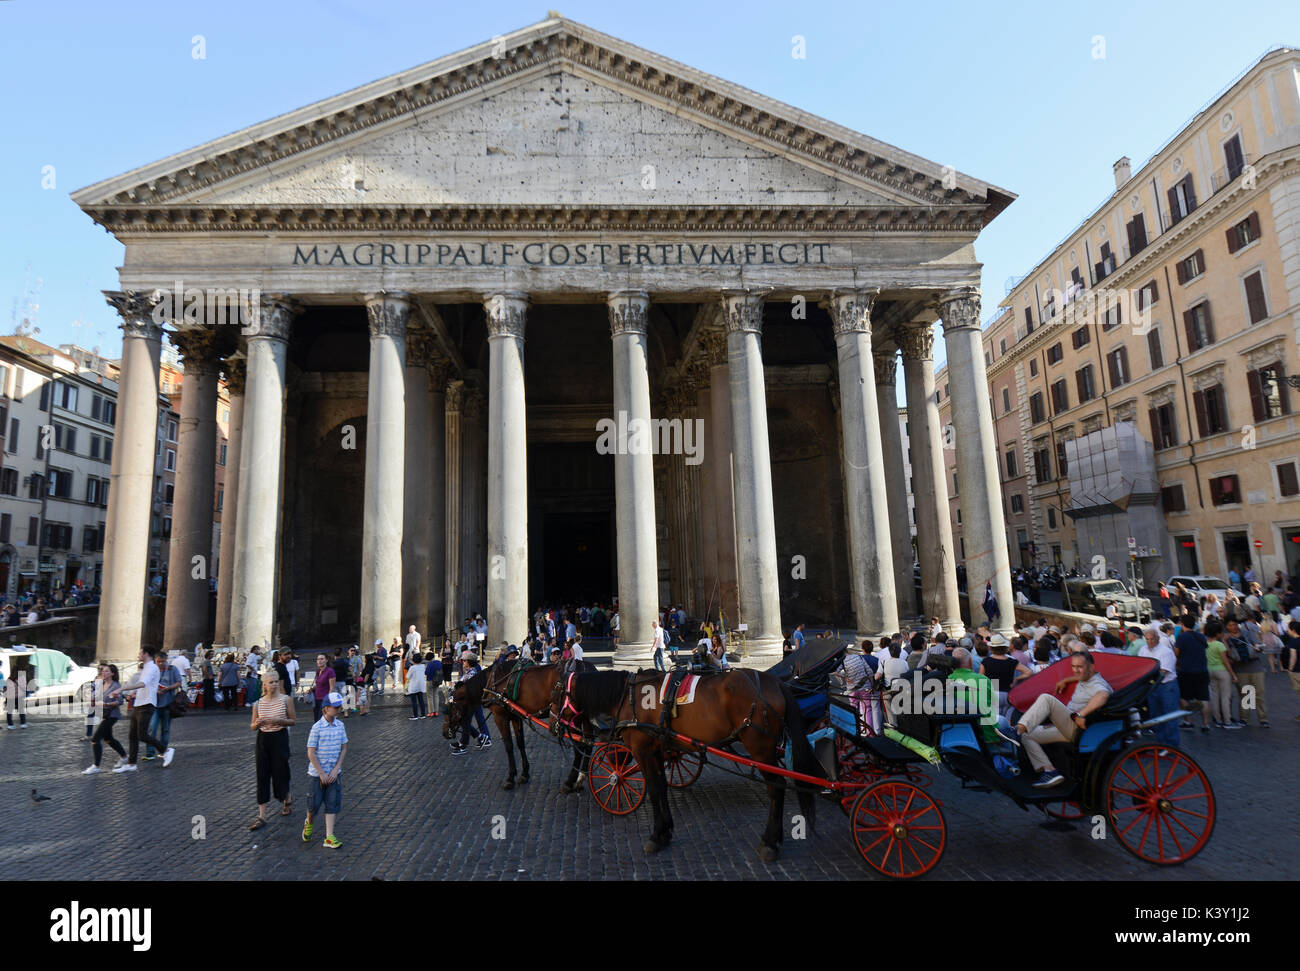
(552, 115)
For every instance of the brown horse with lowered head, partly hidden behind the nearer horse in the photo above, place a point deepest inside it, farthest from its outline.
(532, 693)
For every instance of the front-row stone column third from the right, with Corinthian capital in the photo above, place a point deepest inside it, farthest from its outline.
(752, 473)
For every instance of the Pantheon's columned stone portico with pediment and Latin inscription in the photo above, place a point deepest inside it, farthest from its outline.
(427, 294)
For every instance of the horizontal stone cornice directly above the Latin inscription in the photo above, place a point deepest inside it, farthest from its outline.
(132, 219)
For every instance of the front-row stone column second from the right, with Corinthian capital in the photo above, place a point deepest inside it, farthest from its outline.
(872, 566)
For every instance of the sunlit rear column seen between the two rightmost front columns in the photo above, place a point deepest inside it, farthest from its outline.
(934, 527)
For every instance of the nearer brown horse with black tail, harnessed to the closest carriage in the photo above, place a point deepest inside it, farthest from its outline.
(749, 708)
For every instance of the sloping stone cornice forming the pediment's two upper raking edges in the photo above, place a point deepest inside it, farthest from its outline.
(553, 45)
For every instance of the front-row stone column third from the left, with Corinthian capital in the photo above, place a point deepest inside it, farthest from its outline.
(385, 470)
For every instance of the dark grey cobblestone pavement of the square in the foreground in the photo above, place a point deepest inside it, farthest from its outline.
(414, 812)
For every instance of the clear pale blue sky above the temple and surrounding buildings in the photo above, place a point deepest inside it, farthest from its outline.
(1012, 93)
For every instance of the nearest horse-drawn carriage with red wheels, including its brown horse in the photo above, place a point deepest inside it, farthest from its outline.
(1155, 799)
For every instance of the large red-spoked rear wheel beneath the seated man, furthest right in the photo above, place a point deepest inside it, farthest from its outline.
(1160, 804)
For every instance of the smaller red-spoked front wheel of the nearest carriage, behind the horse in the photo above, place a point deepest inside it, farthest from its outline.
(899, 829)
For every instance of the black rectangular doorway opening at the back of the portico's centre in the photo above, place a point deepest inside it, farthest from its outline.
(578, 557)
